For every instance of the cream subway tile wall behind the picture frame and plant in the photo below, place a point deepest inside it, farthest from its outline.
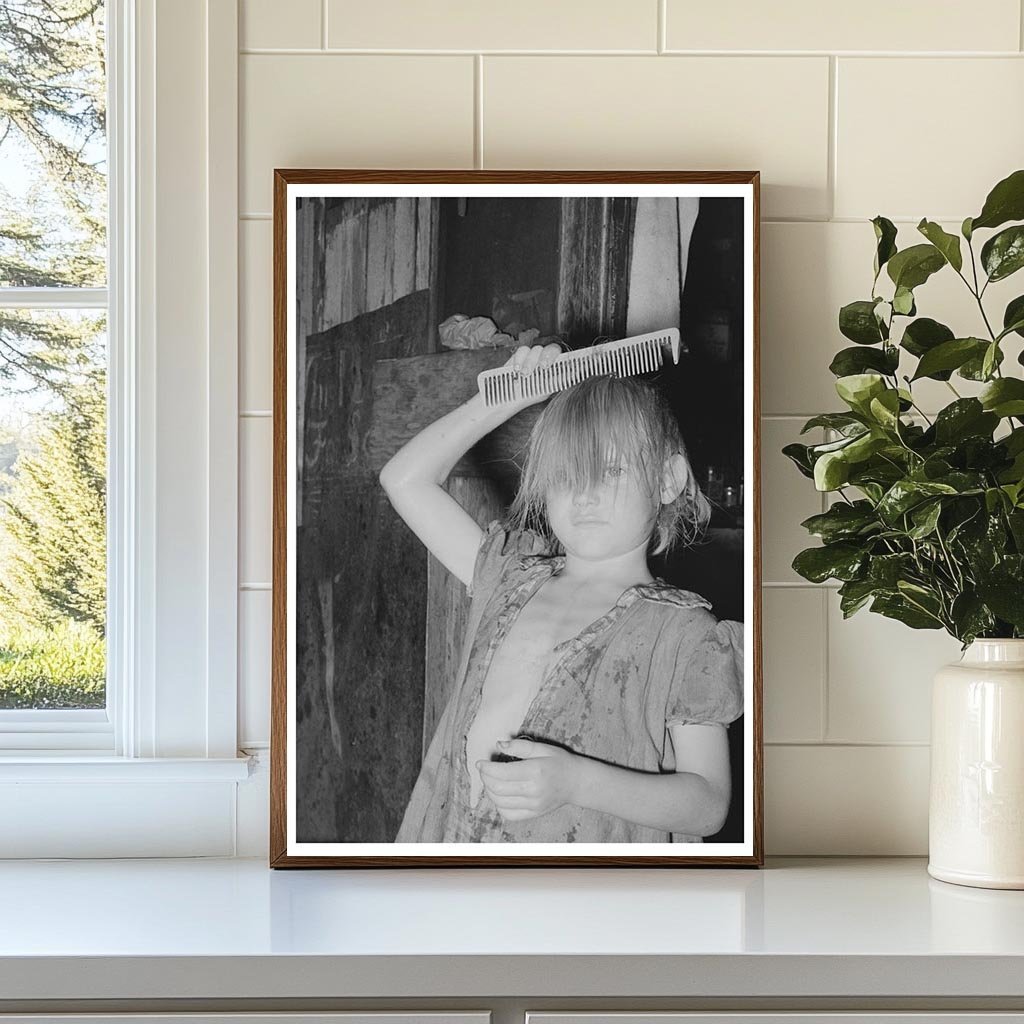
(910, 111)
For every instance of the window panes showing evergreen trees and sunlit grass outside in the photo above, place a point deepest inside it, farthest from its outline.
(54, 374)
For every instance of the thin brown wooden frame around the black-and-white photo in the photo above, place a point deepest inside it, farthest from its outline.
(391, 276)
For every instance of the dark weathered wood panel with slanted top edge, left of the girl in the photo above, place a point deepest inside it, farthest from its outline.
(362, 585)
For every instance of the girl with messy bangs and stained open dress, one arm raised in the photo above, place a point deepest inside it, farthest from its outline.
(592, 699)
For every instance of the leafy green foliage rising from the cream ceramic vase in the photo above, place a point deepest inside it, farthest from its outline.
(928, 525)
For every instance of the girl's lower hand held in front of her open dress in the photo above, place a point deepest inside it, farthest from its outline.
(544, 780)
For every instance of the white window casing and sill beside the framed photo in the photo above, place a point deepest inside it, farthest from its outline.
(173, 461)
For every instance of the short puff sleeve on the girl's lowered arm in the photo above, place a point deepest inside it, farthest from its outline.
(708, 682)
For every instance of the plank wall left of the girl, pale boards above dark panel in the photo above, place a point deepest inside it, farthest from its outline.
(362, 576)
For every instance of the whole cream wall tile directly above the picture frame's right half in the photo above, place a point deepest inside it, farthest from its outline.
(770, 114)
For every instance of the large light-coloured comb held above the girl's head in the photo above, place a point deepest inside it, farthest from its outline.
(627, 358)
